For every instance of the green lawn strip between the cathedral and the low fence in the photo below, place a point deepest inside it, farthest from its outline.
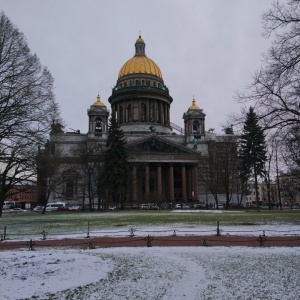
(78, 222)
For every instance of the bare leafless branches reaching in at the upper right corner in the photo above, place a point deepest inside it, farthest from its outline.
(275, 90)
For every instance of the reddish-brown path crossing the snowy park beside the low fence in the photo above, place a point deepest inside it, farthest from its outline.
(160, 241)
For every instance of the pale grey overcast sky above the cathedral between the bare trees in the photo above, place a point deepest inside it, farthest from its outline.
(205, 48)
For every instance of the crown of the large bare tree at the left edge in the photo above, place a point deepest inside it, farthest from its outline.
(27, 107)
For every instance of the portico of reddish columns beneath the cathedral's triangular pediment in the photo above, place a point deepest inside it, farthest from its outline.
(158, 178)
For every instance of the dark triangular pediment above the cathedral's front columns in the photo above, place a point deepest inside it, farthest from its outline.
(158, 145)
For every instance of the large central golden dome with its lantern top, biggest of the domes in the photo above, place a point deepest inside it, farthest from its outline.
(140, 63)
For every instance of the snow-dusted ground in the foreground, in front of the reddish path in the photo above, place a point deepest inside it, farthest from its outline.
(175, 273)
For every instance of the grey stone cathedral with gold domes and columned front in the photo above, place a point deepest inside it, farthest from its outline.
(165, 159)
